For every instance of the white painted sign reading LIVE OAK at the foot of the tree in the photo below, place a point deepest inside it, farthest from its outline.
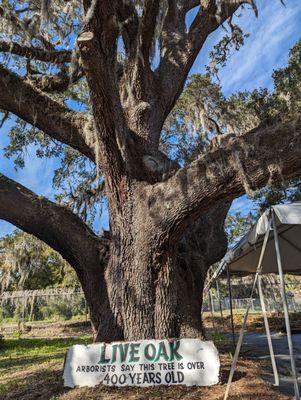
(190, 362)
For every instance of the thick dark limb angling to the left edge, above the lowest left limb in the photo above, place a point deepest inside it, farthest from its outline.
(36, 108)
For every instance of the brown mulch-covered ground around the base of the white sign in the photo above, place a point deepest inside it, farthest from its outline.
(45, 383)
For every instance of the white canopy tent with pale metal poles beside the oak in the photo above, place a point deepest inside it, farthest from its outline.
(273, 245)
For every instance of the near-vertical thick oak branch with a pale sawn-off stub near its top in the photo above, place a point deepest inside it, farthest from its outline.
(98, 50)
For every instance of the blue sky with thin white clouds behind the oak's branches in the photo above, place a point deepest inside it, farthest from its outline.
(272, 34)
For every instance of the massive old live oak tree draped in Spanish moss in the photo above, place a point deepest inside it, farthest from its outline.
(144, 278)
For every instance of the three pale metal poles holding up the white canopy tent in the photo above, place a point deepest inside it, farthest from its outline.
(257, 282)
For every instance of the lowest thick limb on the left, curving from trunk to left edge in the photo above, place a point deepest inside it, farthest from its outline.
(53, 224)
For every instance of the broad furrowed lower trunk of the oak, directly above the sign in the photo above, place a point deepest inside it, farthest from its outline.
(154, 280)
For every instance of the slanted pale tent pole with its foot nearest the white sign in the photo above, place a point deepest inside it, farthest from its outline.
(241, 334)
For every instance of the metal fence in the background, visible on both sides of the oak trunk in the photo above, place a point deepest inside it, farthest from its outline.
(54, 305)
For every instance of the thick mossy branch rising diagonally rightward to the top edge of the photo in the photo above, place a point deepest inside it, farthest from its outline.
(180, 49)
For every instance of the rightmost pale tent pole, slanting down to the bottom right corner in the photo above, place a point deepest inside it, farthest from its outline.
(285, 309)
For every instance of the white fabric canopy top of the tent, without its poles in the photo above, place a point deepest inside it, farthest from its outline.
(243, 258)
